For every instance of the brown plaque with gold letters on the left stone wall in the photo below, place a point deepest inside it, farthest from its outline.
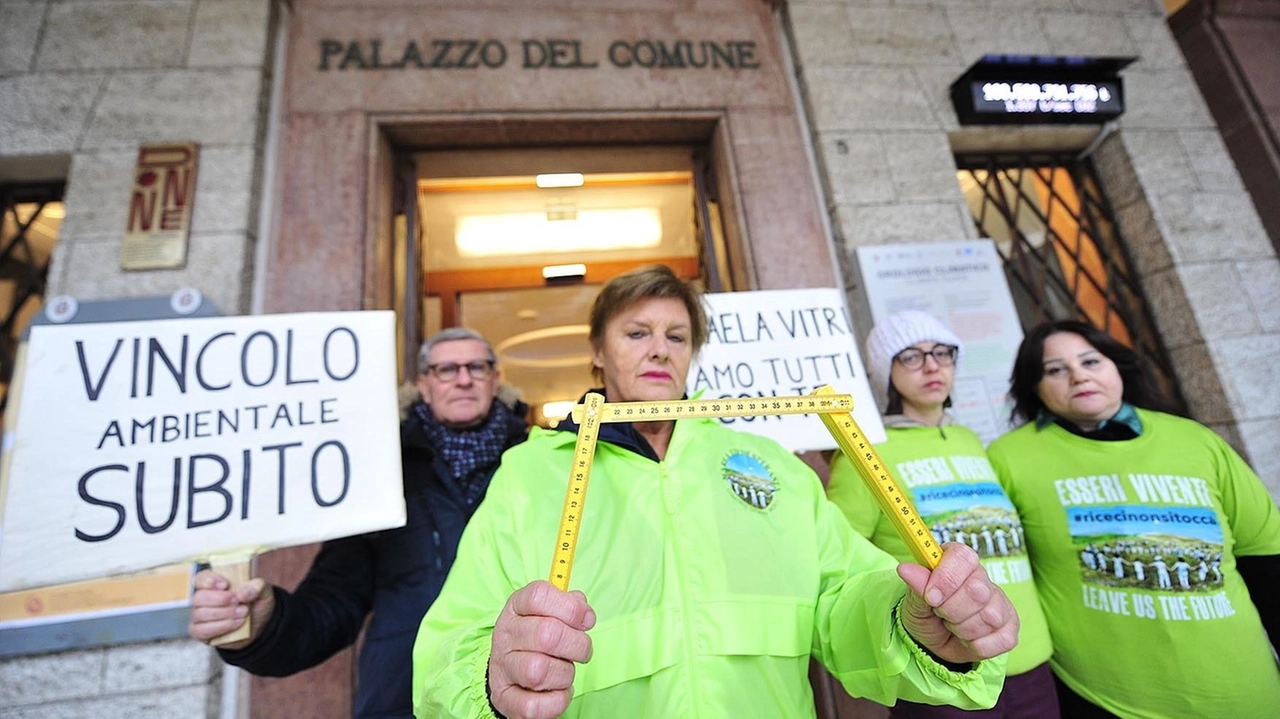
(161, 207)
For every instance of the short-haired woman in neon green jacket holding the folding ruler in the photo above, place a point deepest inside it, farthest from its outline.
(714, 564)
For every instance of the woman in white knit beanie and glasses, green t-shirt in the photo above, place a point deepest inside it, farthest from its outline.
(912, 360)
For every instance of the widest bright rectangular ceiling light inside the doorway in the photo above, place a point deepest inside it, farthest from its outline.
(532, 233)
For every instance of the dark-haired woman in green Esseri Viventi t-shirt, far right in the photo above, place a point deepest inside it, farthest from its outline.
(1121, 502)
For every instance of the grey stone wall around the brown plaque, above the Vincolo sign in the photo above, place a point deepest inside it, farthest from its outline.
(83, 85)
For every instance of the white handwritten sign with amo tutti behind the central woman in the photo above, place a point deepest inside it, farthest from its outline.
(784, 342)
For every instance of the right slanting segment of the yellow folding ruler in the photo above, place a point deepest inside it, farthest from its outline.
(874, 471)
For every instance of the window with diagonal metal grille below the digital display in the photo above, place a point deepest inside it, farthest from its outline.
(1063, 251)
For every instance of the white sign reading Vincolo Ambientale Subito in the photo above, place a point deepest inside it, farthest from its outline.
(141, 445)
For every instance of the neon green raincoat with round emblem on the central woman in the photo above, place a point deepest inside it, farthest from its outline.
(714, 575)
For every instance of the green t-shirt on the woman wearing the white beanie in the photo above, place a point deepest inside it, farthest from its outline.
(956, 492)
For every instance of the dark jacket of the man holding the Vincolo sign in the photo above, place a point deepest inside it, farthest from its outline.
(395, 574)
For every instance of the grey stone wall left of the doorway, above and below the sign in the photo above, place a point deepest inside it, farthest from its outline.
(83, 86)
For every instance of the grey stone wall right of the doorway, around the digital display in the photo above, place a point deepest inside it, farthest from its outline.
(877, 80)
